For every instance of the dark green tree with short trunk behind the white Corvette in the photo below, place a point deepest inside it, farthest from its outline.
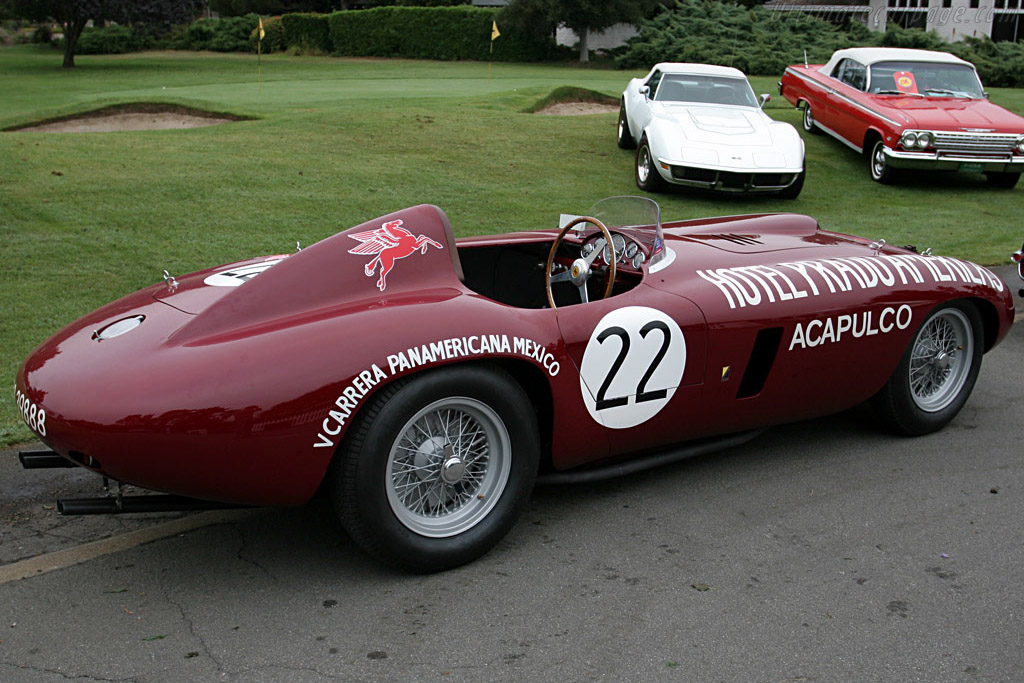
(586, 16)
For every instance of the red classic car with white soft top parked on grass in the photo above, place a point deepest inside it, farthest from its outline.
(909, 110)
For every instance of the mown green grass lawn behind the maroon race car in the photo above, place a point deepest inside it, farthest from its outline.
(86, 219)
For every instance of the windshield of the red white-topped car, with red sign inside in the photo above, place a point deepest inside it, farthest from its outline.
(925, 79)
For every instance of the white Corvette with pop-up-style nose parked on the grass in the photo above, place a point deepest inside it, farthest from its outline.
(702, 126)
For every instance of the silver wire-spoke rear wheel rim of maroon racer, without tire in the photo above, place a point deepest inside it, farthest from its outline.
(448, 467)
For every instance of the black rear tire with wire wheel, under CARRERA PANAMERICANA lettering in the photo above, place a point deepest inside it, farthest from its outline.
(438, 468)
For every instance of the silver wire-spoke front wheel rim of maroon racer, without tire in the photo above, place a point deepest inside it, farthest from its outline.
(941, 360)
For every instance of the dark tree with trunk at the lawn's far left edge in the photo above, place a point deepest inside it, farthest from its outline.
(74, 15)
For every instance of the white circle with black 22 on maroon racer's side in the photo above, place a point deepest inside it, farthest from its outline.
(632, 366)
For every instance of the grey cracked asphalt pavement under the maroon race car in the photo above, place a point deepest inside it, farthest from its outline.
(822, 551)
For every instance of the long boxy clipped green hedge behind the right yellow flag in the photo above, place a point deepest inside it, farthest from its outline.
(430, 33)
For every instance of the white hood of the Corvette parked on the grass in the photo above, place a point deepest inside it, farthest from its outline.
(720, 125)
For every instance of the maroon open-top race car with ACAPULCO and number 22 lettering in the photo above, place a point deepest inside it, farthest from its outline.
(429, 382)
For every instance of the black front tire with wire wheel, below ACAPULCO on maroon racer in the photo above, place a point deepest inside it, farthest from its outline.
(937, 373)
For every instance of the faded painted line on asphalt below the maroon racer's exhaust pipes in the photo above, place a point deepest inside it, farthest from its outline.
(71, 557)
